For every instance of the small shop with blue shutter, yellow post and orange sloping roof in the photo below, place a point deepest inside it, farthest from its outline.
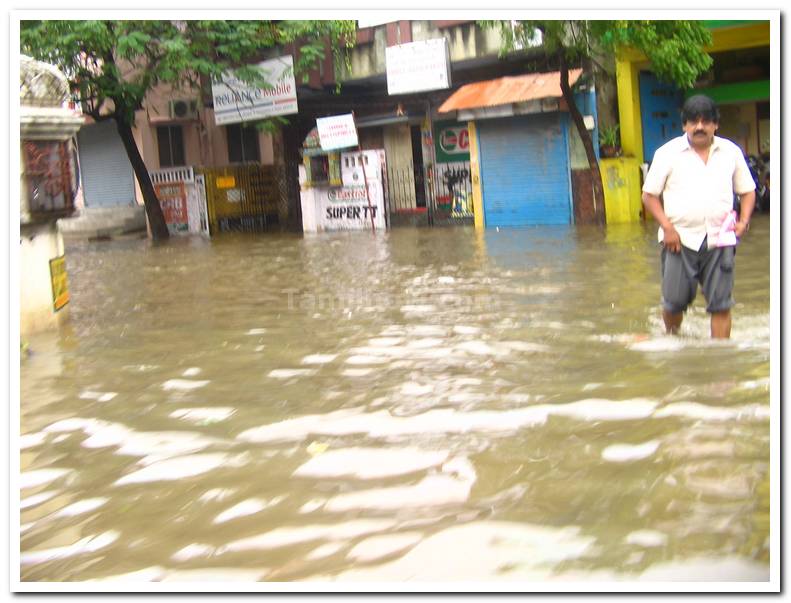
(521, 149)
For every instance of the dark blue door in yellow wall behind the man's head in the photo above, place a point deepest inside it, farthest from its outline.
(660, 113)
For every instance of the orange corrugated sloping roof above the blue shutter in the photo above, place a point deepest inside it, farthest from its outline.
(508, 90)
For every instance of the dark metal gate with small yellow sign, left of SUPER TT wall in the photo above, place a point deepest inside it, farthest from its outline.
(249, 198)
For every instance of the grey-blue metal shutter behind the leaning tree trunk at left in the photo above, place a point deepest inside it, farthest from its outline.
(107, 176)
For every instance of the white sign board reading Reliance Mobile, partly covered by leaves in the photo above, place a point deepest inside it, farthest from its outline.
(236, 101)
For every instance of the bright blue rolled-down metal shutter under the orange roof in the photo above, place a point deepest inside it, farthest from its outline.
(525, 170)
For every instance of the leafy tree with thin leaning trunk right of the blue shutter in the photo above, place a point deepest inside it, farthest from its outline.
(675, 50)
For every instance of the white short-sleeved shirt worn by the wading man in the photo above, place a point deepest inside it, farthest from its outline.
(698, 196)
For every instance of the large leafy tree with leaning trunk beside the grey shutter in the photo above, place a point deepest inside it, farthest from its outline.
(113, 65)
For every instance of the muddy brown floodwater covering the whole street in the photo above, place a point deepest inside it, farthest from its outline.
(415, 405)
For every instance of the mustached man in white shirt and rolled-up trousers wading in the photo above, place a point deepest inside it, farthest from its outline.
(696, 175)
